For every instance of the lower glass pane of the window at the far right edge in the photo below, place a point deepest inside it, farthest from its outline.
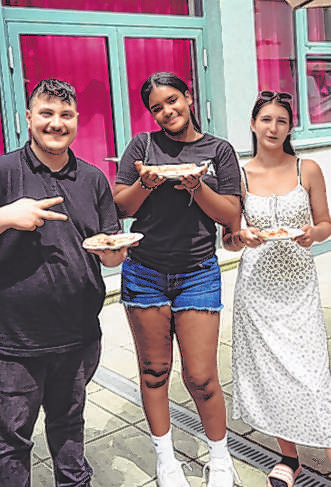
(319, 90)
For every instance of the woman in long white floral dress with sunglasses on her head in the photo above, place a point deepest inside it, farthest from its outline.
(281, 375)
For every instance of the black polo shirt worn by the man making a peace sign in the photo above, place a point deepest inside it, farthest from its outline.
(51, 289)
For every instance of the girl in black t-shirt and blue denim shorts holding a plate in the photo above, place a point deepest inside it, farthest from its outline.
(171, 281)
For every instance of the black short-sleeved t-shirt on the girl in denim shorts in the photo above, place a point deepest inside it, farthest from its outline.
(178, 237)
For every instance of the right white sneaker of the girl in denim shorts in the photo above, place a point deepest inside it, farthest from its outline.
(221, 473)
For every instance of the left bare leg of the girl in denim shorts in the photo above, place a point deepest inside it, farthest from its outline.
(151, 329)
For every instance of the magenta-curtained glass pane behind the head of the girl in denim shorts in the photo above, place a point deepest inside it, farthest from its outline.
(146, 56)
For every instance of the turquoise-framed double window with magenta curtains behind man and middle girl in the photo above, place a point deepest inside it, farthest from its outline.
(106, 56)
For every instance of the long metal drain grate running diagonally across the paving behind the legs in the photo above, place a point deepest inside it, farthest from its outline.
(241, 448)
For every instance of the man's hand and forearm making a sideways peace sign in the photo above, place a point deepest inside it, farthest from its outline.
(27, 214)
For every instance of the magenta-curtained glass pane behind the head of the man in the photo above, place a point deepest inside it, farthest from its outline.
(82, 61)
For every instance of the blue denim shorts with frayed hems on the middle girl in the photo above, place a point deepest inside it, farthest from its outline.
(144, 287)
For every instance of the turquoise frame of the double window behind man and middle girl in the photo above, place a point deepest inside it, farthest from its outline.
(112, 26)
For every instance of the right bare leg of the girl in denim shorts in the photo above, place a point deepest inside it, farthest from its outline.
(197, 335)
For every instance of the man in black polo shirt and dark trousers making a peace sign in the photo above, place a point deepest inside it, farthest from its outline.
(51, 289)
